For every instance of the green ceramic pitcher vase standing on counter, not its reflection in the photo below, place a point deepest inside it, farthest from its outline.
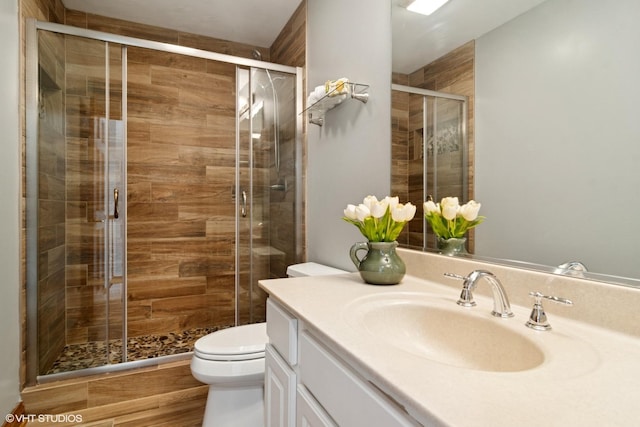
(381, 265)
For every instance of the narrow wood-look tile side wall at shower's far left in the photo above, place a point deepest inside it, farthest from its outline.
(51, 201)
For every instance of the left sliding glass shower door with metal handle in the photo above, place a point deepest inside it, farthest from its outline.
(75, 209)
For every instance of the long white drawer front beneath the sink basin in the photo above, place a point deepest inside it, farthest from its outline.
(350, 401)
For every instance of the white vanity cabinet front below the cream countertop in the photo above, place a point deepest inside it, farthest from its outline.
(307, 384)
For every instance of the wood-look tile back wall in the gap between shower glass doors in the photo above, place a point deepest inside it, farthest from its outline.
(180, 167)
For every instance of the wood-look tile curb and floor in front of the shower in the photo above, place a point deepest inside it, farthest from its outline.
(163, 395)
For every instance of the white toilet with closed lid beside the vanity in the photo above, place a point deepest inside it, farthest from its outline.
(231, 361)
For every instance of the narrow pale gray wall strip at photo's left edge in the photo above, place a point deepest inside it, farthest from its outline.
(9, 208)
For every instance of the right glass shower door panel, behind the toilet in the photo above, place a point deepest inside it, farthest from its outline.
(266, 185)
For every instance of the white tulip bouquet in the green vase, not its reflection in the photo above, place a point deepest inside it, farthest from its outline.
(380, 220)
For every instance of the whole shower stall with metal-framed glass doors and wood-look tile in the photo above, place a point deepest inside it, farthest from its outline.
(162, 182)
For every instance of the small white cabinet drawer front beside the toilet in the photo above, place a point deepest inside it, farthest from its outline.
(282, 329)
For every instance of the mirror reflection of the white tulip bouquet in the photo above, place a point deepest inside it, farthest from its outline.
(450, 220)
